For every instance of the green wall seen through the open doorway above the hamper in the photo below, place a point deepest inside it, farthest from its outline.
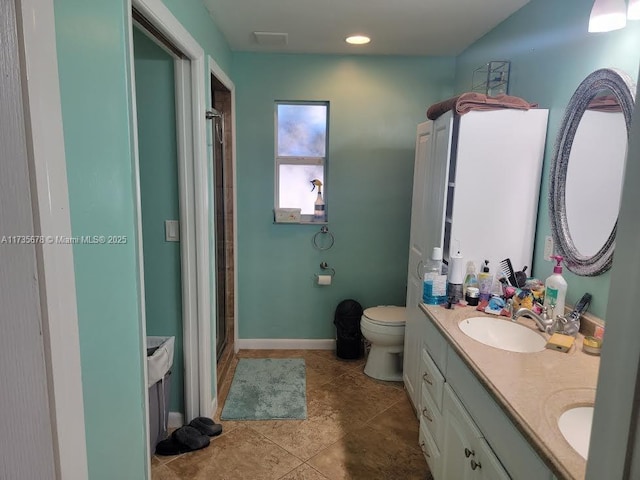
(157, 153)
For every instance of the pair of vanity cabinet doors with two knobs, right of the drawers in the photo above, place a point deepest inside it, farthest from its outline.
(466, 455)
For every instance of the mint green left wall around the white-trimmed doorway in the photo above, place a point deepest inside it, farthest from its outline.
(93, 60)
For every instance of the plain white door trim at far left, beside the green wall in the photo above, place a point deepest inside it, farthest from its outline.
(48, 173)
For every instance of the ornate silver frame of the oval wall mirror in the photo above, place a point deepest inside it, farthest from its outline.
(621, 85)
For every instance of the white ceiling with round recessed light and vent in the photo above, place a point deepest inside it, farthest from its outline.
(397, 27)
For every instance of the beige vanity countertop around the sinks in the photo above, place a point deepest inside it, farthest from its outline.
(533, 389)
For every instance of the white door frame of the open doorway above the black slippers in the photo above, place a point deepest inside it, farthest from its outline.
(194, 205)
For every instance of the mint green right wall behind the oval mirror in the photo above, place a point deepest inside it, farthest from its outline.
(551, 52)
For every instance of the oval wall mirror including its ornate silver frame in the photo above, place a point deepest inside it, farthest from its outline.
(588, 169)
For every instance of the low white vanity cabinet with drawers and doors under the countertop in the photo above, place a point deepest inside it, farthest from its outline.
(462, 426)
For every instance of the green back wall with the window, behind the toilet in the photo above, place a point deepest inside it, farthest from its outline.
(375, 105)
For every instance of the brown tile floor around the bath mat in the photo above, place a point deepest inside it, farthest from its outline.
(357, 428)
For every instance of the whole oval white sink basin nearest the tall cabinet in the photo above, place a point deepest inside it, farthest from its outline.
(503, 334)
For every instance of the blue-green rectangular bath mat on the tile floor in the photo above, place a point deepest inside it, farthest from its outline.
(267, 389)
